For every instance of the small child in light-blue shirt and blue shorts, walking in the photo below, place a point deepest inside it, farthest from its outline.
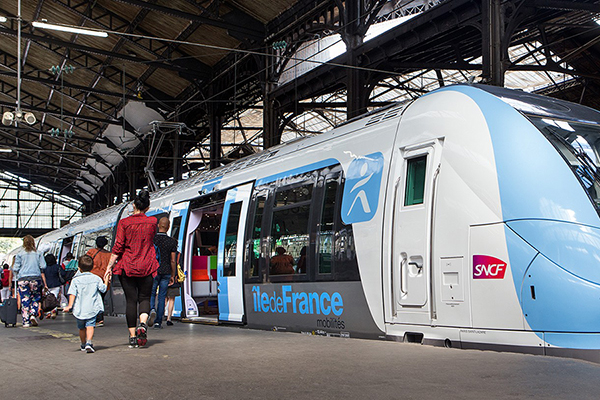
(85, 300)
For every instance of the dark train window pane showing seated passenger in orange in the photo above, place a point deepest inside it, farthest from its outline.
(290, 229)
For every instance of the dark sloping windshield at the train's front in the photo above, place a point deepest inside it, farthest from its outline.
(579, 144)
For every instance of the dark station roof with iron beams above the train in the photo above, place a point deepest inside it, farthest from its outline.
(112, 111)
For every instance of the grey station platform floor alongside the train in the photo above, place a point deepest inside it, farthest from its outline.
(195, 361)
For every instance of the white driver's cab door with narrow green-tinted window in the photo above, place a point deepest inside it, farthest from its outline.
(410, 252)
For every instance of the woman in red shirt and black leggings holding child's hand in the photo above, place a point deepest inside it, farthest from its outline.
(134, 247)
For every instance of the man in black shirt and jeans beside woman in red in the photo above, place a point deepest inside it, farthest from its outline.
(166, 274)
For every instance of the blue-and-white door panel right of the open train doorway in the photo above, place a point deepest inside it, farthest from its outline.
(230, 254)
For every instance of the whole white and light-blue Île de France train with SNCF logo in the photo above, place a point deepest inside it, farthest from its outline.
(467, 218)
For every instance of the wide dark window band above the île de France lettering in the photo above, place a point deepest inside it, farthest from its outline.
(296, 241)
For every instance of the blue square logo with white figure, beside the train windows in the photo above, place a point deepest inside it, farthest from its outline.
(361, 190)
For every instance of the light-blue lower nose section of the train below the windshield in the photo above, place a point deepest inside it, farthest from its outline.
(560, 290)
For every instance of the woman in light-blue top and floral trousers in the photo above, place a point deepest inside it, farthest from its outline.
(29, 268)
